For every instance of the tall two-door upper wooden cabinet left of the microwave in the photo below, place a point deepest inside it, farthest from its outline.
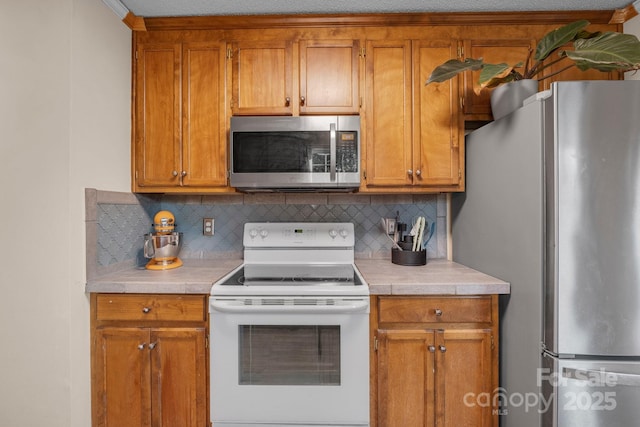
(179, 117)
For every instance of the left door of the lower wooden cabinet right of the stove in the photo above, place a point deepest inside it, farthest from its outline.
(405, 378)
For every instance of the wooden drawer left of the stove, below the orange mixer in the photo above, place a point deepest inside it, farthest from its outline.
(179, 308)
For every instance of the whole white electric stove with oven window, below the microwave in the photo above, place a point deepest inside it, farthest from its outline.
(290, 331)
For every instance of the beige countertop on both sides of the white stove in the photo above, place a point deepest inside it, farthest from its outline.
(438, 277)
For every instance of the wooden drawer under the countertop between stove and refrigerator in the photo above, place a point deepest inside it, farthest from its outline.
(429, 310)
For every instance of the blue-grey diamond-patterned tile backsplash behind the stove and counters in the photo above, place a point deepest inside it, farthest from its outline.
(121, 221)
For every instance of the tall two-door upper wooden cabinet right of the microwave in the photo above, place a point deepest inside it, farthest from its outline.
(412, 130)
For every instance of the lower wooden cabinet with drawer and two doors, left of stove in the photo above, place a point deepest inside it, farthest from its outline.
(149, 360)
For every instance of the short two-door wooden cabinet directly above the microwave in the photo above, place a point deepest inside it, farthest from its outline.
(323, 78)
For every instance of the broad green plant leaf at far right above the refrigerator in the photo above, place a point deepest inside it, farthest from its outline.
(606, 52)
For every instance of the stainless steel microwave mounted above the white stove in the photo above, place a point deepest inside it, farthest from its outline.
(284, 153)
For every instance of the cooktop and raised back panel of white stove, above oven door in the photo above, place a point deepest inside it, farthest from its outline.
(295, 259)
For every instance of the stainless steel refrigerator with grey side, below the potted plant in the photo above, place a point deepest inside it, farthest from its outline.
(553, 206)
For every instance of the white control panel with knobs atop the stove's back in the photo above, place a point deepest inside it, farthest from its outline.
(298, 234)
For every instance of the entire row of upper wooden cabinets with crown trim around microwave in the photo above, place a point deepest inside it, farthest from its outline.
(191, 75)
